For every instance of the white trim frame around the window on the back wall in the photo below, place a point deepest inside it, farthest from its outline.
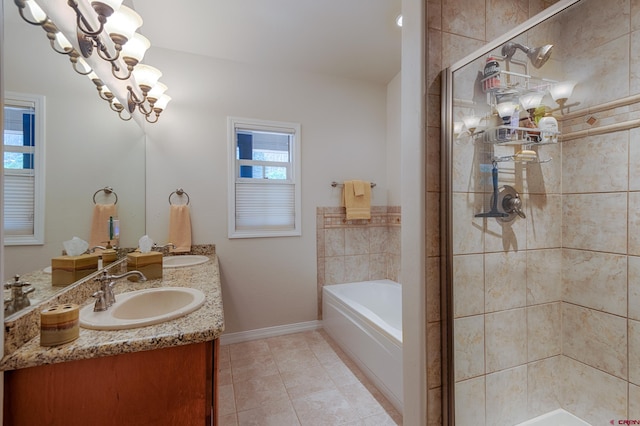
(275, 126)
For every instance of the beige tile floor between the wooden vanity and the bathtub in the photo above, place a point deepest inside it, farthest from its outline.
(298, 379)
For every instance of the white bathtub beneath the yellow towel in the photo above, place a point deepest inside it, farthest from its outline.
(365, 320)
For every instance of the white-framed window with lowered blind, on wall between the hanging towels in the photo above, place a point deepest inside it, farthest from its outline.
(264, 178)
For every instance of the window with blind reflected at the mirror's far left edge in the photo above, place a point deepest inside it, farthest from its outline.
(23, 169)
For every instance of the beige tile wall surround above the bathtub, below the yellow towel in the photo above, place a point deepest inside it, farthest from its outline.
(357, 250)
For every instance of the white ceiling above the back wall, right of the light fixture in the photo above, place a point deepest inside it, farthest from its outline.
(350, 38)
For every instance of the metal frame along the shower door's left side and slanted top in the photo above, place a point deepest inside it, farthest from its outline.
(446, 209)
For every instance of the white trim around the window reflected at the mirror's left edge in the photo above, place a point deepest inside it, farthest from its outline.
(39, 153)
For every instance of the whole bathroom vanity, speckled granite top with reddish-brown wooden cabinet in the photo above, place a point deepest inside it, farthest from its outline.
(159, 374)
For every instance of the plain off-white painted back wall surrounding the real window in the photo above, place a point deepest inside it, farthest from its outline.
(266, 281)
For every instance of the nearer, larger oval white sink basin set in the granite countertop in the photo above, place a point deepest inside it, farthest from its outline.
(143, 307)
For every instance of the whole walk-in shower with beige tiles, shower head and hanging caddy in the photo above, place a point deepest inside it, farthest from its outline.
(542, 214)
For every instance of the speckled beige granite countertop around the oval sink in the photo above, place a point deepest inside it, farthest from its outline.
(204, 324)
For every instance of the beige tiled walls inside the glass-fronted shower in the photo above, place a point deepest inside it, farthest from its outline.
(545, 307)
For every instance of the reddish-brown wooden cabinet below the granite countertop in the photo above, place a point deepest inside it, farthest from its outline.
(170, 386)
